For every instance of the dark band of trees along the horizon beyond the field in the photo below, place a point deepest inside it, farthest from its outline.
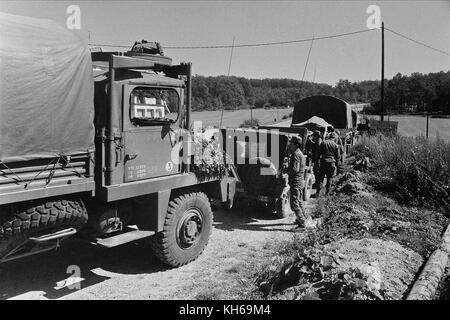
(416, 92)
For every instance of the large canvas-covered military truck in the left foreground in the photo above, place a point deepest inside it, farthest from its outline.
(87, 147)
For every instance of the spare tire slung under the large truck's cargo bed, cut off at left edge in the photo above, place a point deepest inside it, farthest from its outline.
(17, 223)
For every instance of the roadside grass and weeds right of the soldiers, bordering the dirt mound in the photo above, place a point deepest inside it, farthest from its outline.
(413, 170)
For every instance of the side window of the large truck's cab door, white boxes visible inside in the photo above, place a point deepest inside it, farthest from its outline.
(149, 106)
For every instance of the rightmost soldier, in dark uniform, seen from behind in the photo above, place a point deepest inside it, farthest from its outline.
(329, 158)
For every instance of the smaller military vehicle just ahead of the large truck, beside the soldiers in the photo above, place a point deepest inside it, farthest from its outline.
(258, 155)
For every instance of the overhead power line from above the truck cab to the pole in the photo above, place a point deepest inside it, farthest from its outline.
(248, 45)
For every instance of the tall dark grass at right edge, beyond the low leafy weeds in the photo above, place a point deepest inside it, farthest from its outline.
(415, 169)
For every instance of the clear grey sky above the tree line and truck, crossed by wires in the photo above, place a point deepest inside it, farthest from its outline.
(202, 23)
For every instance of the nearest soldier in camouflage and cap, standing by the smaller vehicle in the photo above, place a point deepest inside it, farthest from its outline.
(296, 170)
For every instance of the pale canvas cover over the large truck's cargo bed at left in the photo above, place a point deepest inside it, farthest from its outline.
(46, 90)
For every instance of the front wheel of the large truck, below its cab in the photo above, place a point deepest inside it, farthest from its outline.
(186, 231)
